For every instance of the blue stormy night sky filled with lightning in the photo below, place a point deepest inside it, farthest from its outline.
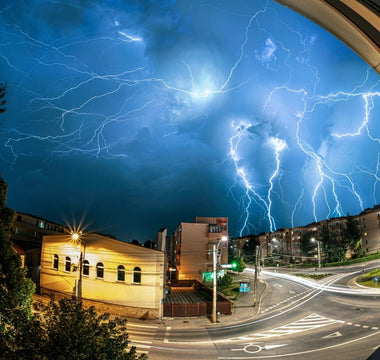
(139, 114)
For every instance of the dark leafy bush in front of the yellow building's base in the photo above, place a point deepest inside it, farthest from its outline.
(70, 332)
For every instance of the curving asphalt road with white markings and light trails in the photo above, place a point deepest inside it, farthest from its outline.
(297, 319)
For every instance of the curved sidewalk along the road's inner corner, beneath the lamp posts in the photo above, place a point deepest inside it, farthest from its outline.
(246, 307)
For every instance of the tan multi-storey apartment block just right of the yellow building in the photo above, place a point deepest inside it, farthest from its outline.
(191, 247)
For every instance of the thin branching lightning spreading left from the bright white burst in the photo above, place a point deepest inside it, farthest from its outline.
(96, 143)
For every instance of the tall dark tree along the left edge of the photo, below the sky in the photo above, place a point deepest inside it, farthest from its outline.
(15, 289)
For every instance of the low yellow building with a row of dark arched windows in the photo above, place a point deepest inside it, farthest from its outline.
(129, 277)
